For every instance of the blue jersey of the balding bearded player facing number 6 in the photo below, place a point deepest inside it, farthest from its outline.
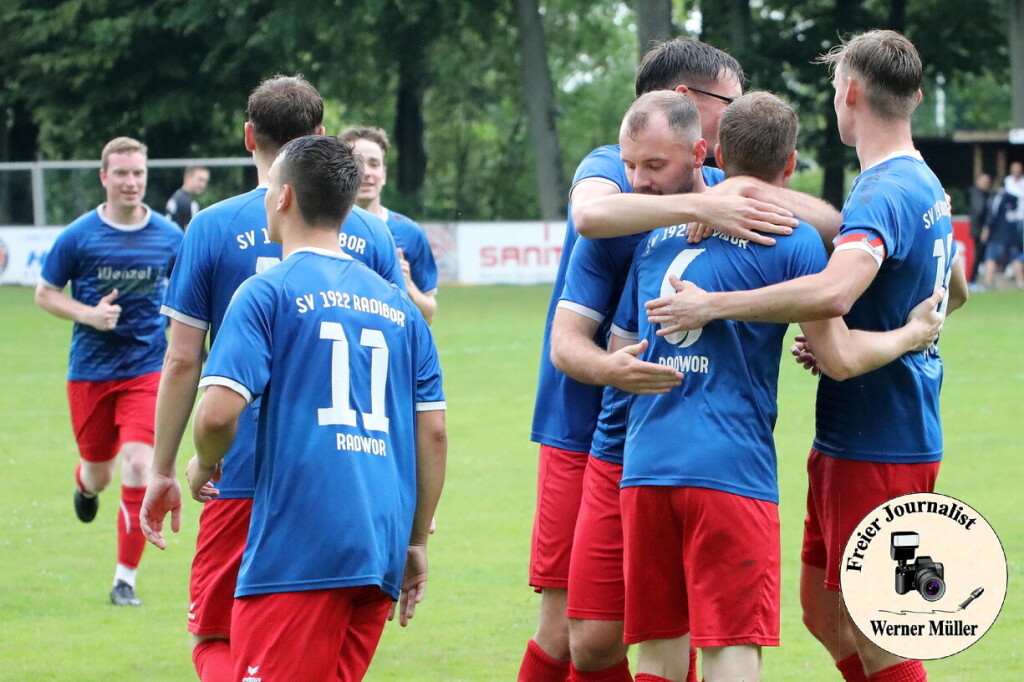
(594, 282)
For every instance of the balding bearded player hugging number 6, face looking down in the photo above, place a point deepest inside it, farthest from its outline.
(664, 153)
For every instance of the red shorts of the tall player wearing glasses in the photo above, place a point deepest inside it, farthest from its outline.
(560, 487)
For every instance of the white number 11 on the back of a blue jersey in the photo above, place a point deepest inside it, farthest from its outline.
(342, 411)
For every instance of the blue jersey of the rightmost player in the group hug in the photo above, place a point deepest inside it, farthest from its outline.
(891, 414)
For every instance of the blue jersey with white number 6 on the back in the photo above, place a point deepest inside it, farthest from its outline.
(714, 431)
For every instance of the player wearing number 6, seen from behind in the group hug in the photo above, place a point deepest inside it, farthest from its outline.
(700, 490)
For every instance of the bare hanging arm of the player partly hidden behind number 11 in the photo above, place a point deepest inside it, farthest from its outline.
(179, 383)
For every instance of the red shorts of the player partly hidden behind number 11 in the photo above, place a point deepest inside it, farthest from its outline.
(224, 526)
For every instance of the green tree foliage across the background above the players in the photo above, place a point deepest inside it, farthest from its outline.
(444, 78)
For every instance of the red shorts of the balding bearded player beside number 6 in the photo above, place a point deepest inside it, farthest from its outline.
(598, 590)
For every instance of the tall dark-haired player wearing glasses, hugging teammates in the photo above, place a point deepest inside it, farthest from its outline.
(711, 79)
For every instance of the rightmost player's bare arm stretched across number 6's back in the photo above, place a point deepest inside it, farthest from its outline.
(830, 293)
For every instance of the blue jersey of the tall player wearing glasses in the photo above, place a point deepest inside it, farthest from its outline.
(566, 410)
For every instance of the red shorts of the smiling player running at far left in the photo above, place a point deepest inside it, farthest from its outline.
(106, 415)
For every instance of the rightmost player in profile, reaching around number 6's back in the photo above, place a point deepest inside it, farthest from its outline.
(895, 247)
